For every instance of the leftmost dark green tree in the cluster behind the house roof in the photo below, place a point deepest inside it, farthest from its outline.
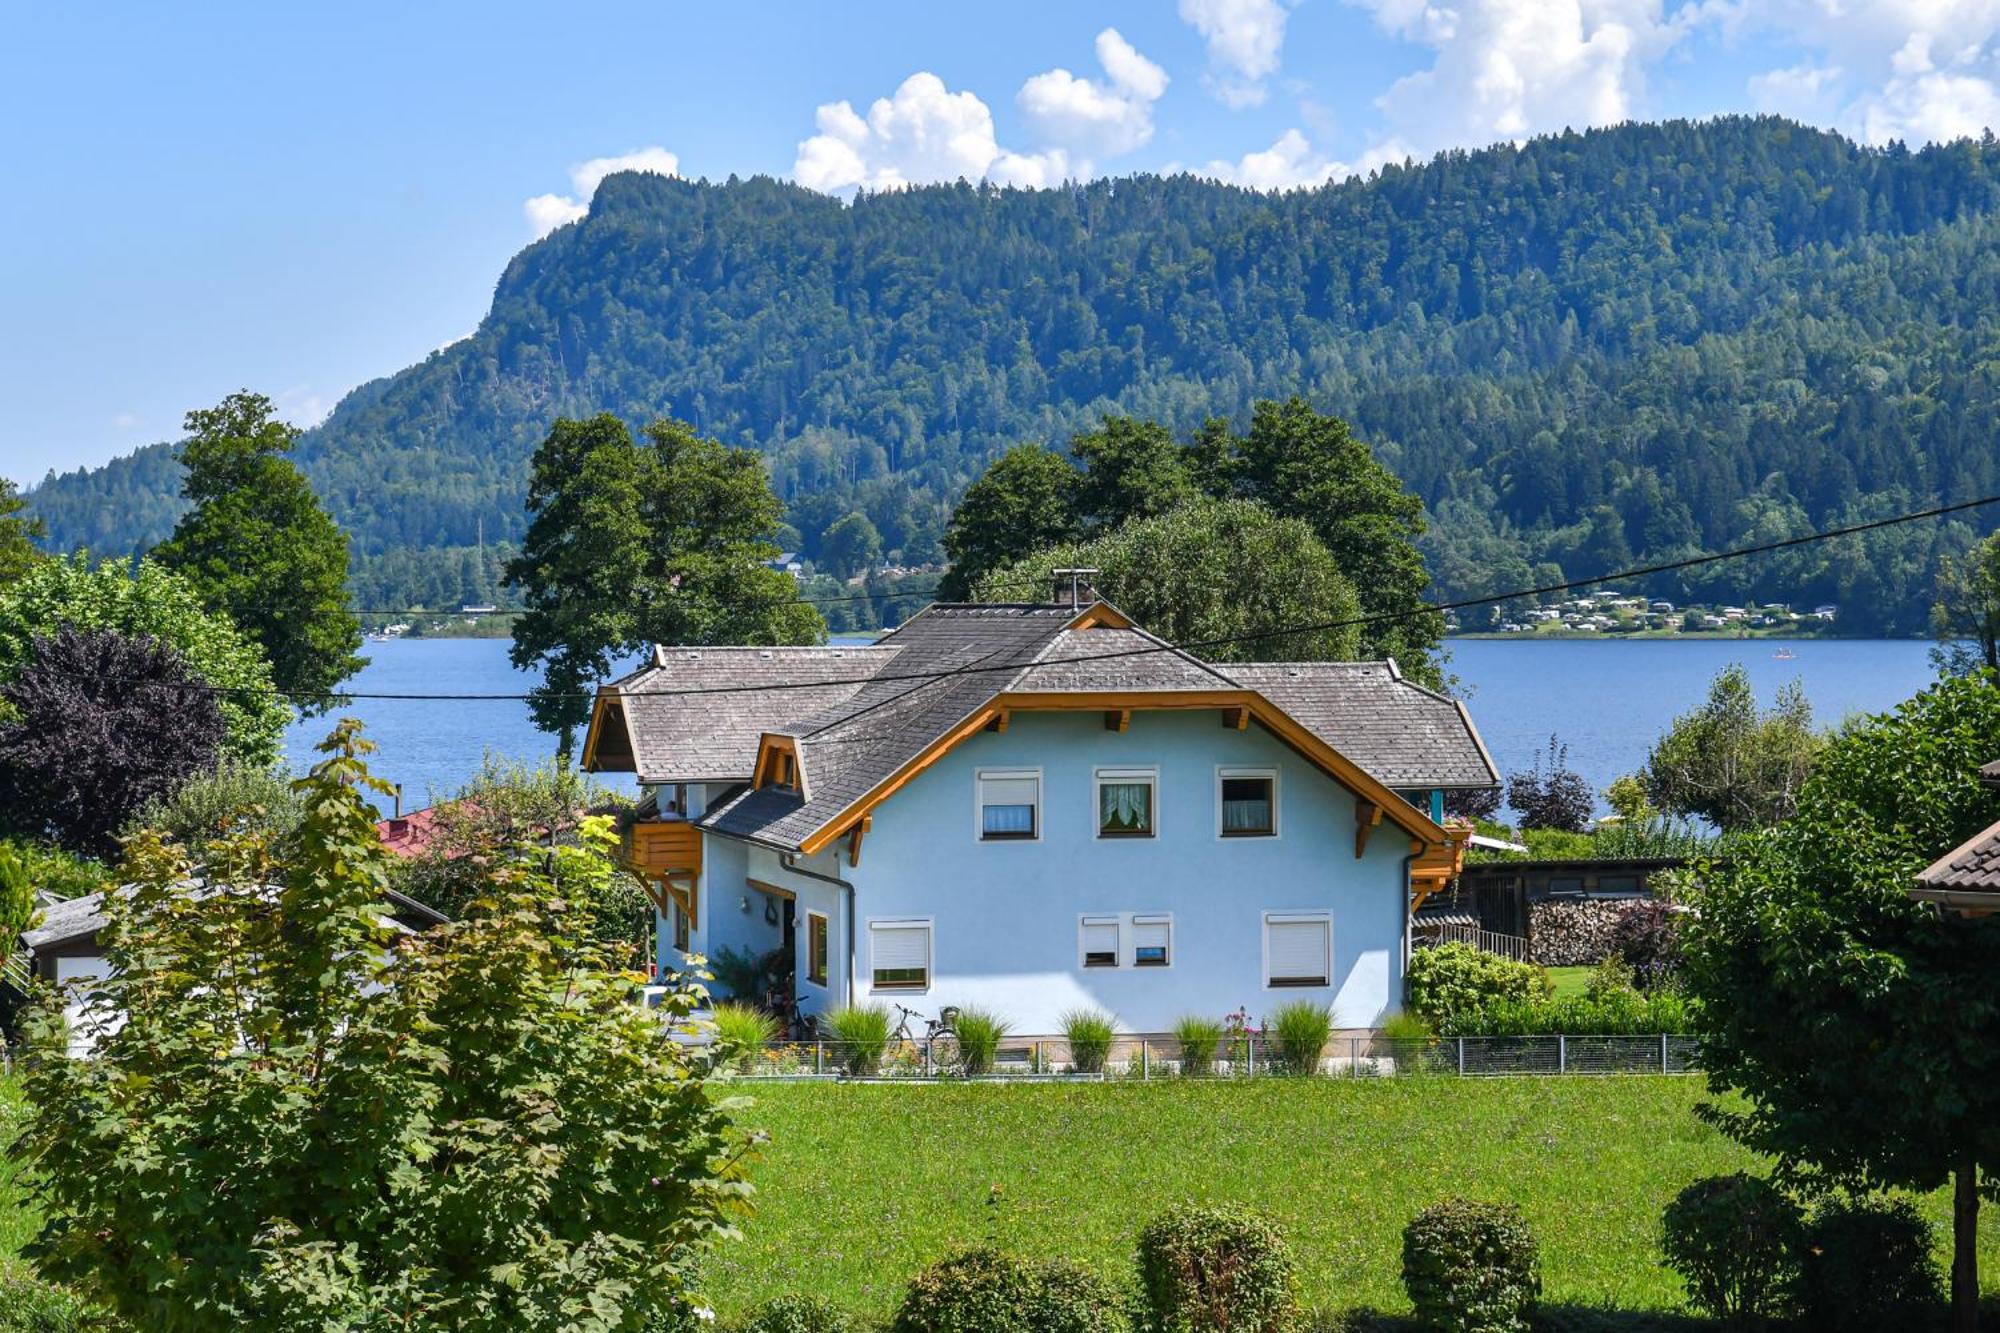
(1023, 503)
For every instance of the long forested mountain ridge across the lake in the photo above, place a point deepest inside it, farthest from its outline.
(1589, 349)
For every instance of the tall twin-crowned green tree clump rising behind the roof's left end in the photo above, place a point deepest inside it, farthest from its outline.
(639, 543)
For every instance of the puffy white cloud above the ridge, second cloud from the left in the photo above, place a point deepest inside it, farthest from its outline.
(919, 135)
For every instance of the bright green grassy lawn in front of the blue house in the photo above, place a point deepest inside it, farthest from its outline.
(863, 1184)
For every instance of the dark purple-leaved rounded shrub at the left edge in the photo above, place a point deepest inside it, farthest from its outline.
(97, 726)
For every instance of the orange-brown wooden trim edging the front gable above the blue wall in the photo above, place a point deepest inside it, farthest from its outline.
(1255, 706)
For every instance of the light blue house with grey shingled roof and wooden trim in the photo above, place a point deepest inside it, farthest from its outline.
(1041, 808)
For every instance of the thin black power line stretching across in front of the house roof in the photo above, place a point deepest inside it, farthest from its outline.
(1641, 571)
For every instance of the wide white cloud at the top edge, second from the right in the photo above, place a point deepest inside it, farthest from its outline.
(1511, 69)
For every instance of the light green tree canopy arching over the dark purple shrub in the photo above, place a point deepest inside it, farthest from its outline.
(143, 599)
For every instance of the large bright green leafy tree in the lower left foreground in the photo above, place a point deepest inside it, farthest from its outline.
(307, 1124)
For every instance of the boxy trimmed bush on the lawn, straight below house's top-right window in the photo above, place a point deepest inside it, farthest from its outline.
(1217, 1270)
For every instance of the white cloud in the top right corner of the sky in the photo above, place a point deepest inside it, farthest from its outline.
(1907, 71)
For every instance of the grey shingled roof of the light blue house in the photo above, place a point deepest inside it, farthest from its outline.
(861, 720)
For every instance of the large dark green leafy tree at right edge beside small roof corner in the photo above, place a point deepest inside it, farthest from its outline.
(1855, 1024)
